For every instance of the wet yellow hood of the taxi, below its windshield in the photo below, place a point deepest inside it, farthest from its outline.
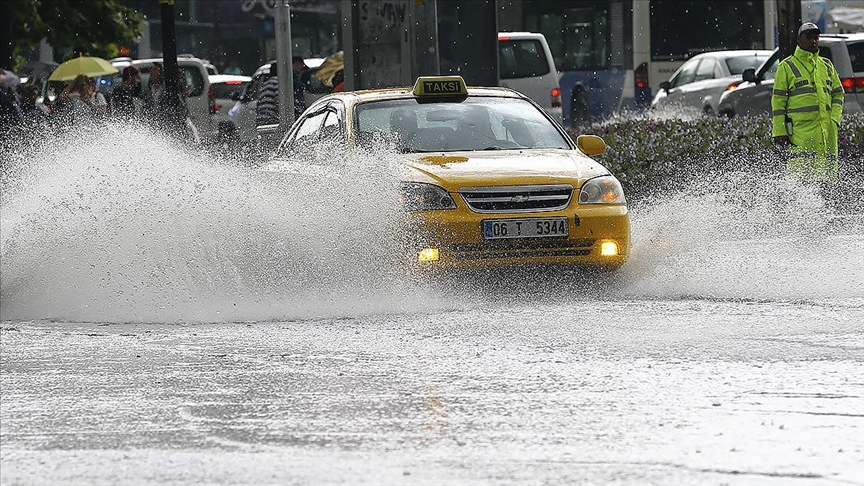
(455, 170)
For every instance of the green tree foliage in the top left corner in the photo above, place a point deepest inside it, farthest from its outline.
(93, 27)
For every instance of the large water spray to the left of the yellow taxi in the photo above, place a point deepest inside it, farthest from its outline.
(124, 225)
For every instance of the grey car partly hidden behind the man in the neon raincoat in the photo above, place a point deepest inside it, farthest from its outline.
(753, 96)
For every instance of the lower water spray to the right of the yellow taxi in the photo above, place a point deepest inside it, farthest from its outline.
(745, 236)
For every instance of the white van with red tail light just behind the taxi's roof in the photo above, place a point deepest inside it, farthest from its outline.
(525, 64)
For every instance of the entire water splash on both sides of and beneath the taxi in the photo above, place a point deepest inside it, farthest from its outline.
(124, 225)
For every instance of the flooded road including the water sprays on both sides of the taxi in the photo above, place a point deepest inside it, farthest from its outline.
(207, 329)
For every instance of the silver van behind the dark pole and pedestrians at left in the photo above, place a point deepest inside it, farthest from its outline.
(201, 99)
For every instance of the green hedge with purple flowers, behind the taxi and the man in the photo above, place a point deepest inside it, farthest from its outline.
(645, 152)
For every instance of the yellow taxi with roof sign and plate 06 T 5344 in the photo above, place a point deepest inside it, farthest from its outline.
(493, 180)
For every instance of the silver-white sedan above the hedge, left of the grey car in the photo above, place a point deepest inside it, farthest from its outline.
(700, 81)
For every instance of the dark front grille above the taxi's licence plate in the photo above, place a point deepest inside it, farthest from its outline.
(517, 199)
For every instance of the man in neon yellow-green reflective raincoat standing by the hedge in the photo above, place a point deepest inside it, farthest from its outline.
(806, 106)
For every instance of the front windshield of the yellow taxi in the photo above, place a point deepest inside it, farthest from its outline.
(474, 123)
